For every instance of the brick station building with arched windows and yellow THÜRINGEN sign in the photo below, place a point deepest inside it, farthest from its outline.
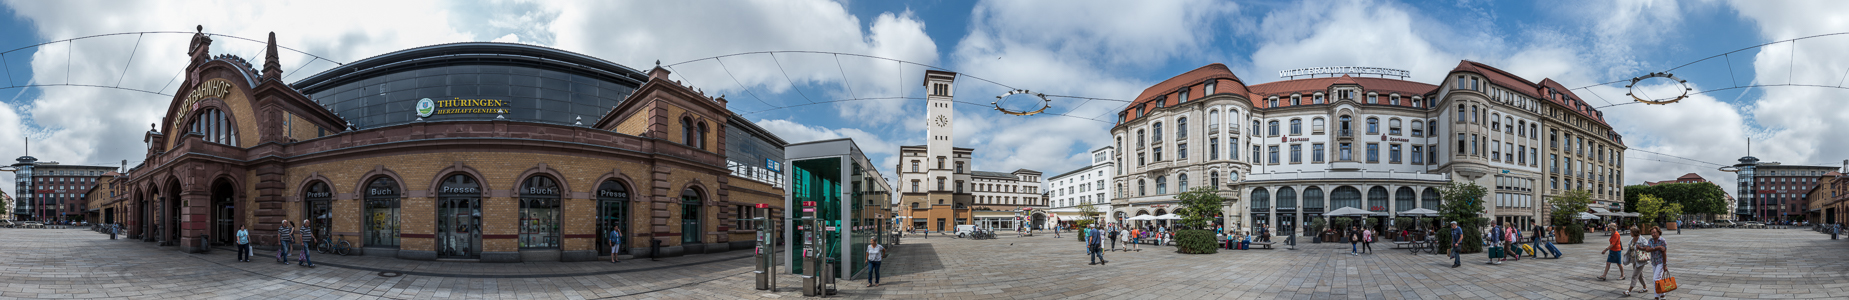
(469, 151)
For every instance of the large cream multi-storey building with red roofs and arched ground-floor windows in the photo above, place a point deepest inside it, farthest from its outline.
(1288, 153)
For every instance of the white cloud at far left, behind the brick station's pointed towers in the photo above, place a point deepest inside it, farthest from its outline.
(103, 127)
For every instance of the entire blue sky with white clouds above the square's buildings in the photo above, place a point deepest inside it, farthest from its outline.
(1103, 51)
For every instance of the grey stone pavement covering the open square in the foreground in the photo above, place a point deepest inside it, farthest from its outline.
(1709, 264)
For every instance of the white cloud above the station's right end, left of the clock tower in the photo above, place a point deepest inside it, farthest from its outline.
(676, 32)
